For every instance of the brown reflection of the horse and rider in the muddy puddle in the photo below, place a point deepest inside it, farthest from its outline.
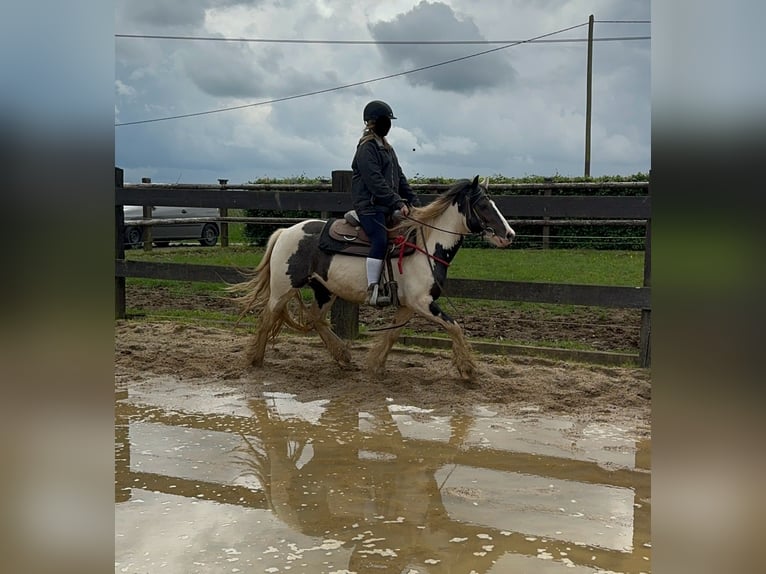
(357, 480)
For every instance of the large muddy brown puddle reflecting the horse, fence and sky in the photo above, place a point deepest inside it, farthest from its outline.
(210, 480)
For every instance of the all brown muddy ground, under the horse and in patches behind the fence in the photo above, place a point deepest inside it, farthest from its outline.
(423, 378)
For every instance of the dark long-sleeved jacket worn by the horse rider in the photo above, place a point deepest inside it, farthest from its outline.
(377, 181)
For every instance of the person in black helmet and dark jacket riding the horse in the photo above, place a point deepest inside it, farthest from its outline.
(378, 188)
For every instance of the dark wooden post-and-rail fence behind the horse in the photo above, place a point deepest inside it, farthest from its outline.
(334, 198)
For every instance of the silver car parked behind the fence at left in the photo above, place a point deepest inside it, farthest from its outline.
(206, 232)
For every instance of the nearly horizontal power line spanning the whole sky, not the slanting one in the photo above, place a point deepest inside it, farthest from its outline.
(374, 42)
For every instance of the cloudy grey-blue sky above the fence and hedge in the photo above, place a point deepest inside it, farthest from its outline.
(518, 110)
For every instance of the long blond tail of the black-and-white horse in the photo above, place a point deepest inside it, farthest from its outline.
(256, 292)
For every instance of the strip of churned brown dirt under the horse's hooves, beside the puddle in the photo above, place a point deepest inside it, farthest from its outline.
(300, 365)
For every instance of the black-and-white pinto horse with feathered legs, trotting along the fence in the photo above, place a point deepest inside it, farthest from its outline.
(295, 258)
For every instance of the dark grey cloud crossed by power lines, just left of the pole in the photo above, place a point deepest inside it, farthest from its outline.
(437, 21)
